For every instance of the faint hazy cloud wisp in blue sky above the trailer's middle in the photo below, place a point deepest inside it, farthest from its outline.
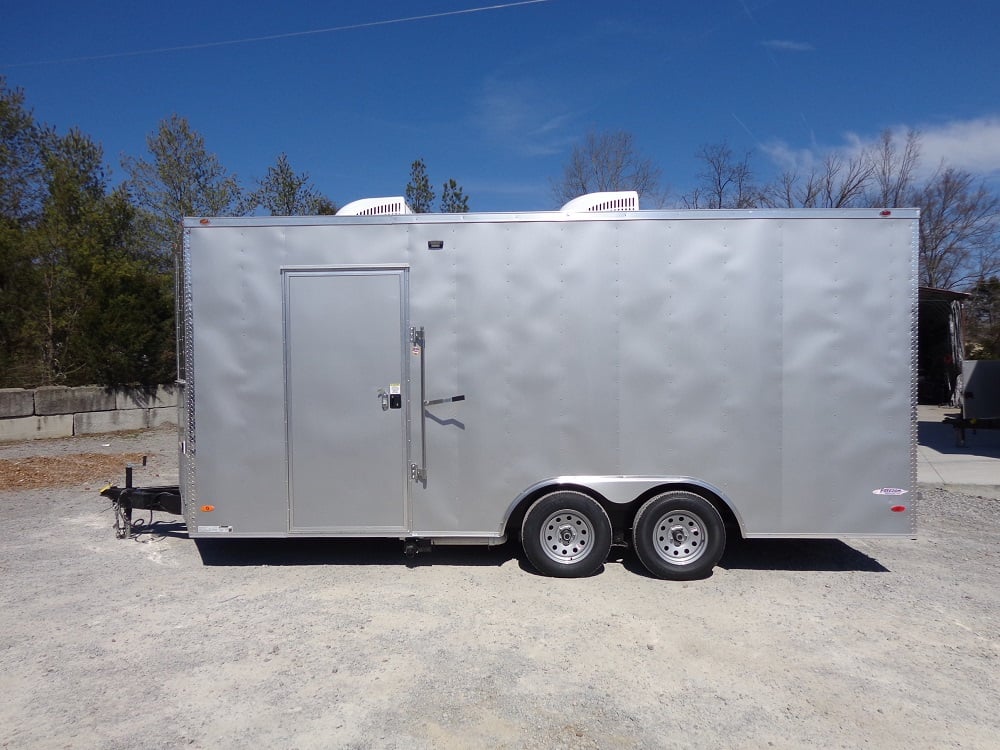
(523, 118)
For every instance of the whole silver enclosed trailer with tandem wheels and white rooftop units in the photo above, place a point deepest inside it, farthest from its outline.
(573, 379)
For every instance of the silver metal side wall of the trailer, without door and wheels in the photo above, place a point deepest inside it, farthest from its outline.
(768, 355)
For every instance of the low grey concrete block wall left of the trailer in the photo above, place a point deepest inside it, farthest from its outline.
(27, 414)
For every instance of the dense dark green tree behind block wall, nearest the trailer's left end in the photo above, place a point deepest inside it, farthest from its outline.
(103, 310)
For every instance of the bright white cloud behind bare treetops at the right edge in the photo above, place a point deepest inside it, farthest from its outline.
(971, 145)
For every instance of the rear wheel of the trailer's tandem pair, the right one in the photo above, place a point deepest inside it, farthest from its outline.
(679, 536)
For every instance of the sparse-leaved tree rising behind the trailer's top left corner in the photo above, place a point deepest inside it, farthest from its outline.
(180, 178)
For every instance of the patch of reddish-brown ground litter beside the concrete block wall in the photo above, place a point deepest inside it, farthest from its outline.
(35, 472)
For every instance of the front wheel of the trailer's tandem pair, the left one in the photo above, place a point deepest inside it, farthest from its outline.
(566, 534)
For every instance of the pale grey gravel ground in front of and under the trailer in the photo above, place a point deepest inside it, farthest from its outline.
(162, 642)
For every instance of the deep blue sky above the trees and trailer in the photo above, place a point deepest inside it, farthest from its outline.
(496, 98)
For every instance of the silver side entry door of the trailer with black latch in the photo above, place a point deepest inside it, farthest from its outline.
(345, 378)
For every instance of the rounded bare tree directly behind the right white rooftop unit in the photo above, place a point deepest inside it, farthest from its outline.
(608, 161)
